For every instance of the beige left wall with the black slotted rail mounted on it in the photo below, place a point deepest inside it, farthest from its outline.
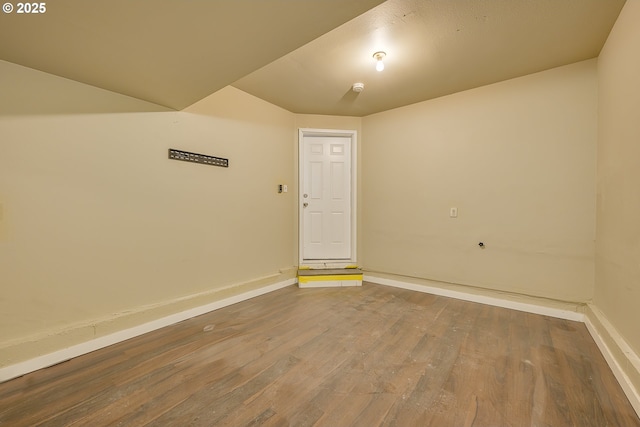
(99, 231)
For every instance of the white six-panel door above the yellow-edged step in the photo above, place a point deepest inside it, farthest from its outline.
(325, 197)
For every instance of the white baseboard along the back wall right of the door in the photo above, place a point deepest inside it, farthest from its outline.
(483, 299)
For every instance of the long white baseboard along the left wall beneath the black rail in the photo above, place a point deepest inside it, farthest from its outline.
(46, 360)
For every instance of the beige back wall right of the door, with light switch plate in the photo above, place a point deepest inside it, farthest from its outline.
(516, 158)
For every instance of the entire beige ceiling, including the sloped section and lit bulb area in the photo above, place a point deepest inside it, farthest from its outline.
(304, 55)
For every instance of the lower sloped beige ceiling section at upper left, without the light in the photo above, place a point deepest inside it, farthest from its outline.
(169, 52)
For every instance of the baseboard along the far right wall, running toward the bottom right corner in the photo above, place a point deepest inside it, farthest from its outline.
(604, 333)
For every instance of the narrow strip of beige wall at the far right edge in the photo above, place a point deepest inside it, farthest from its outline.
(617, 290)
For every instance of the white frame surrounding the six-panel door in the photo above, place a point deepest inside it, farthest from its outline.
(328, 263)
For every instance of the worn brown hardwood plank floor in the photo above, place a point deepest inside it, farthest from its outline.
(365, 356)
